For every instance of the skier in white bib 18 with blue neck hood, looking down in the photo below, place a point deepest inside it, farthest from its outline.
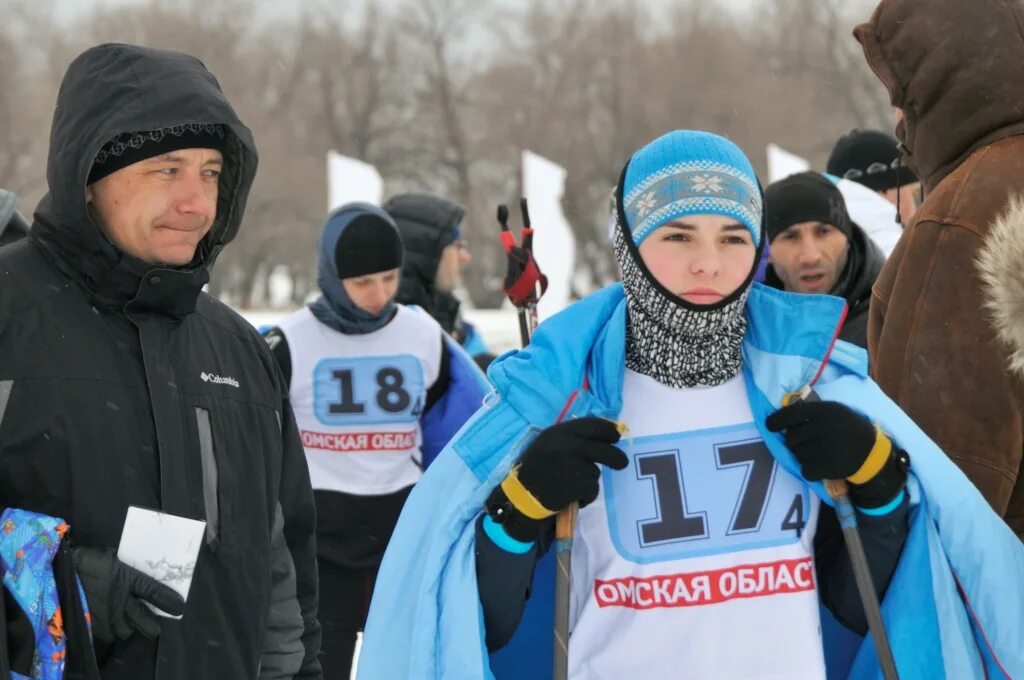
(378, 390)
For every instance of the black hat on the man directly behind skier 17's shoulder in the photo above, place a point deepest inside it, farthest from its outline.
(806, 197)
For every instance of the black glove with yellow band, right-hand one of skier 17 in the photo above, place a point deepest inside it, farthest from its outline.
(833, 442)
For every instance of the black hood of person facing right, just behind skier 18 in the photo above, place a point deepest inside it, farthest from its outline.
(428, 225)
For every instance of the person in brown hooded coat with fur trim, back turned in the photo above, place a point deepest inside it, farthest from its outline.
(946, 342)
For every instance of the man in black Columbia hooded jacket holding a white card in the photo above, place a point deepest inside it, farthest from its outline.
(123, 385)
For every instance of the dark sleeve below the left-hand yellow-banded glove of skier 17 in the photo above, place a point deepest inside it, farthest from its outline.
(504, 581)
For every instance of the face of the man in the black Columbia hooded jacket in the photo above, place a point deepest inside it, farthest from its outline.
(159, 209)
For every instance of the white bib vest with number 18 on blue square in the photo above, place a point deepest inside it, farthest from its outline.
(358, 400)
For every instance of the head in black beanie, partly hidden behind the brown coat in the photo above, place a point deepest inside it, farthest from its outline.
(873, 159)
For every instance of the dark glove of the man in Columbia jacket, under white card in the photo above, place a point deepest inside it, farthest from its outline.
(115, 593)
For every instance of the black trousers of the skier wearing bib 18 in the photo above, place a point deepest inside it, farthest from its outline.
(345, 603)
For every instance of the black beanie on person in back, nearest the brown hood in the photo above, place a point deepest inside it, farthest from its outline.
(870, 158)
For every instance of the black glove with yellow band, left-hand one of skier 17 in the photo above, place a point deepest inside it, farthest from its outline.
(559, 469)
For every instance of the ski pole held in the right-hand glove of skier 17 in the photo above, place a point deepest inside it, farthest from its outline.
(839, 493)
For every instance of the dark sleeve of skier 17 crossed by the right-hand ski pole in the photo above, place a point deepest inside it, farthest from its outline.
(883, 539)
